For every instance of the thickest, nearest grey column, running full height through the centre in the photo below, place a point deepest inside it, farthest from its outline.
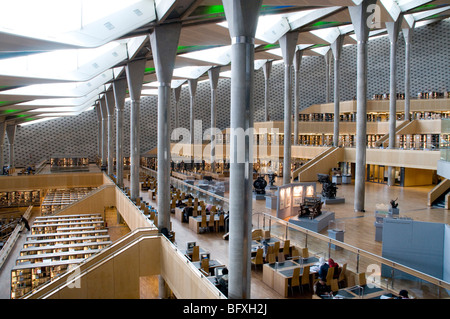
(242, 17)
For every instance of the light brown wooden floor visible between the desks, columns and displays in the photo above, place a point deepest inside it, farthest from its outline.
(359, 227)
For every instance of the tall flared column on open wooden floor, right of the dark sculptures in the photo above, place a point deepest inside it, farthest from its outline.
(360, 18)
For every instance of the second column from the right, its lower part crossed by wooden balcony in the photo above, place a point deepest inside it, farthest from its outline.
(393, 29)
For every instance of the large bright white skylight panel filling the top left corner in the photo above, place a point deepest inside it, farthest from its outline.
(83, 23)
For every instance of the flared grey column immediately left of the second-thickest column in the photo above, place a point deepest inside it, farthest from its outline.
(135, 75)
